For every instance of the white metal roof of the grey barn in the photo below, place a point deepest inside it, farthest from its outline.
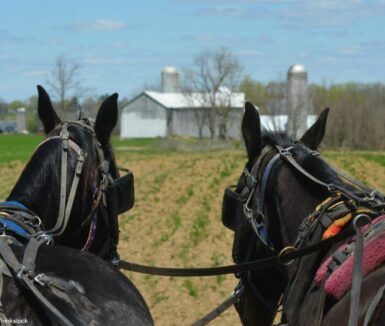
(196, 100)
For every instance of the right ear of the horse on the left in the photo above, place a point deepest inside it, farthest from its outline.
(106, 118)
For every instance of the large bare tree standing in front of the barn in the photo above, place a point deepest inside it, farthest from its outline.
(213, 78)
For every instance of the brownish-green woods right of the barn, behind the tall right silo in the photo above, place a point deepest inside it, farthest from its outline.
(357, 110)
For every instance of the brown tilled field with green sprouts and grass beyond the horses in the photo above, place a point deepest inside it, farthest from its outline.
(176, 220)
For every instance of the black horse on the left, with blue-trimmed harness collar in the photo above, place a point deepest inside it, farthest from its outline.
(82, 288)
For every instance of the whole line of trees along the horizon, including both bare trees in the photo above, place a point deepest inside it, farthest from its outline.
(356, 121)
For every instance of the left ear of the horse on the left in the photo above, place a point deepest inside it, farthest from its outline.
(47, 113)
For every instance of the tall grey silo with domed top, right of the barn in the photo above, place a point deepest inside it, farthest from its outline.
(297, 100)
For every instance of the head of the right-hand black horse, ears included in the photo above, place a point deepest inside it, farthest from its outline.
(269, 202)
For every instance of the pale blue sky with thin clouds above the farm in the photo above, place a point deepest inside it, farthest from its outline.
(121, 45)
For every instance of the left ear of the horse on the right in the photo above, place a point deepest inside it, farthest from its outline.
(251, 130)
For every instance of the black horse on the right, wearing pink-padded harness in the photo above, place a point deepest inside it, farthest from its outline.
(279, 205)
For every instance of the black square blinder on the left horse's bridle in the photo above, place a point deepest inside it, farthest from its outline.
(121, 194)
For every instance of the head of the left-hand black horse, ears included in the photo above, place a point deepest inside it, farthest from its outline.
(68, 179)
